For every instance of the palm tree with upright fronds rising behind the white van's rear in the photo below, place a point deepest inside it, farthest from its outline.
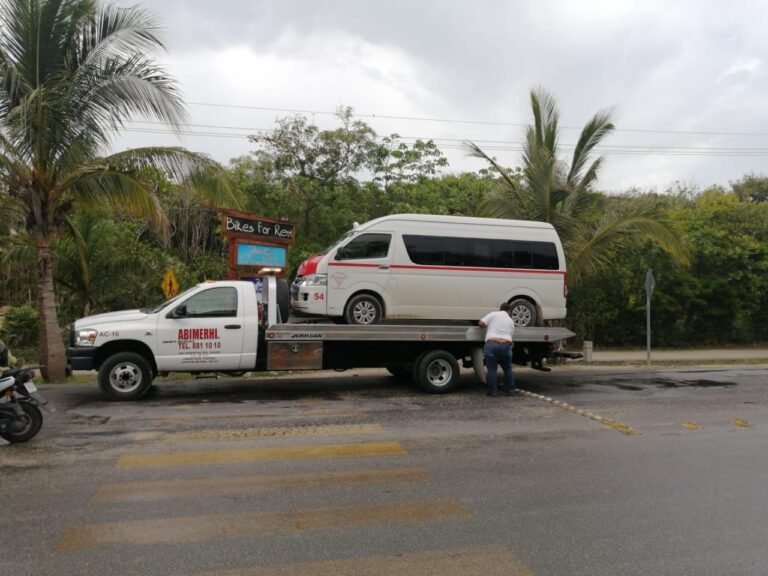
(594, 229)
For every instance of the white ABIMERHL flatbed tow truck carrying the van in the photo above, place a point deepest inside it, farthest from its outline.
(222, 327)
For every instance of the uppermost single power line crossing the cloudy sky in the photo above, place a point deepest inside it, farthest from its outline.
(476, 122)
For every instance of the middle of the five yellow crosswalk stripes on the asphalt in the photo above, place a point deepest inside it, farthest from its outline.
(170, 489)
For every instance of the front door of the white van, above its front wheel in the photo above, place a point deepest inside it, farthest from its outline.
(361, 264)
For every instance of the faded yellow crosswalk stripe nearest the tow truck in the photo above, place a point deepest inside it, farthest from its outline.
(268, 432)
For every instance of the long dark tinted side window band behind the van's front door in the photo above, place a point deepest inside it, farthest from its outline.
(481, 252)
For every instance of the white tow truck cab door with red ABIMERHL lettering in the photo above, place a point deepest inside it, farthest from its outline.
(203, 333)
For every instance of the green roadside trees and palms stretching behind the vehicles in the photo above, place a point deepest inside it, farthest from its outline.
(83, 231)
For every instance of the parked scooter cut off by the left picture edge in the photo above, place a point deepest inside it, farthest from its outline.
(20, 405)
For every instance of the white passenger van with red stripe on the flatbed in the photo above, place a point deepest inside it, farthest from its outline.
(416, 266)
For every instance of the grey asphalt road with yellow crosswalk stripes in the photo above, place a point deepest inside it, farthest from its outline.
(595, 472)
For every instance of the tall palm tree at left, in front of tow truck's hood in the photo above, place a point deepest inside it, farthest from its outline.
(72, 72)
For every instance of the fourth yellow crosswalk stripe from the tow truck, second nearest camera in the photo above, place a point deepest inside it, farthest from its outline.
(203, 528)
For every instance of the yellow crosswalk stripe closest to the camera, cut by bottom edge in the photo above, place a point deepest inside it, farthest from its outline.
(482, 561)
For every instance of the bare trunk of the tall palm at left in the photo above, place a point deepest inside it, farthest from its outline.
(52, 355)
